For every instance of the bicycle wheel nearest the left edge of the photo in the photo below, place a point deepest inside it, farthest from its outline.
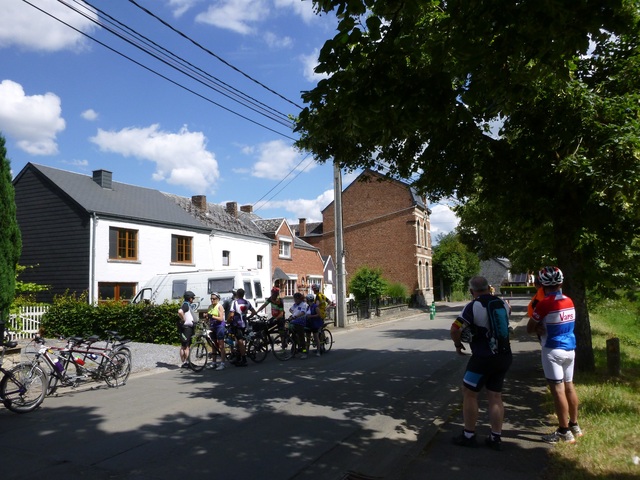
(23, 388)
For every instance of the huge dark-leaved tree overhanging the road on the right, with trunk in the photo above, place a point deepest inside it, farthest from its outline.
(525, 111)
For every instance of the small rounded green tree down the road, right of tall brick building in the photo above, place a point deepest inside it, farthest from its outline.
(453, 263)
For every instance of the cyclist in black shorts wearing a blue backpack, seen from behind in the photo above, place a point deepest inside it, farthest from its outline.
(487, 317)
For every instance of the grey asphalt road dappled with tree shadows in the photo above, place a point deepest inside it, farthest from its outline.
(359, 408)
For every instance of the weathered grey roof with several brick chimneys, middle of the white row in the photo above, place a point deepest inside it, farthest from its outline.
(217, 218)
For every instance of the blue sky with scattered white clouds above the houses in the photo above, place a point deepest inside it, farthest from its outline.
(69, 102)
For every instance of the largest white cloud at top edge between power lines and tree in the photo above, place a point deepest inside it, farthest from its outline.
(235, 15)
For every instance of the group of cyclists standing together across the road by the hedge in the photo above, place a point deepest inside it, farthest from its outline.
(307, 318)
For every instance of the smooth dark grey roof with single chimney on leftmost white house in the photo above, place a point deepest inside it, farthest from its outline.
(121, 200)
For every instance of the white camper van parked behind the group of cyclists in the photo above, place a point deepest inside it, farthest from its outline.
(171, 287)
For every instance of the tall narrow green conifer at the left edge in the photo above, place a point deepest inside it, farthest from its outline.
(10, 240)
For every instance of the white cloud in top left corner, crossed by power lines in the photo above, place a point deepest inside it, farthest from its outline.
(23, 26)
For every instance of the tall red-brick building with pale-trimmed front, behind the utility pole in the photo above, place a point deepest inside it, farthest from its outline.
(386, 224)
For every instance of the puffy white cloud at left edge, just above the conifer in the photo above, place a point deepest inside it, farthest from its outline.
(32, 121)
